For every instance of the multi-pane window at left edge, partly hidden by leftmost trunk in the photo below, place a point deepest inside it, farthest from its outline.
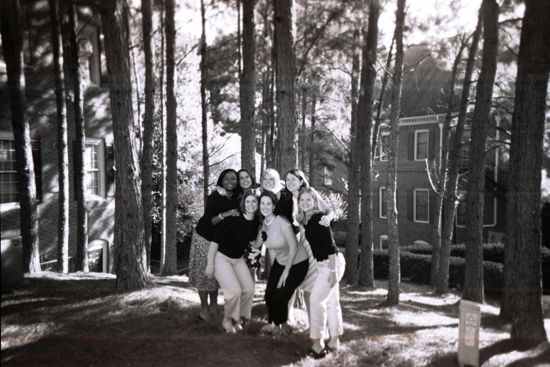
(9, 192)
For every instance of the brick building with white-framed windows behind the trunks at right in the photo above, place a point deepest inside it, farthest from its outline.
(419, 139)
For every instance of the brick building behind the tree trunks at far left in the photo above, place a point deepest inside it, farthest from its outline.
(40, 112)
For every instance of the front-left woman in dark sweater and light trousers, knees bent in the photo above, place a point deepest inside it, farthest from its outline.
(226, 263)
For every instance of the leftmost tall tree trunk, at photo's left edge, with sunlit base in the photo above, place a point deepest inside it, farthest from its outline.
(13, 57)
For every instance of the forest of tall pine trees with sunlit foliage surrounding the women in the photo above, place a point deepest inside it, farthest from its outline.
(275, 74)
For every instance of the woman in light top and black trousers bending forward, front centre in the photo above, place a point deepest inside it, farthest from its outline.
(290, 262)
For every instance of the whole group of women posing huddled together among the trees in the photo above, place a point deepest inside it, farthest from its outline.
(293, 222)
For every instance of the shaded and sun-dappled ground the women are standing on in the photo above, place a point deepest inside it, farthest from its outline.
(78, 320)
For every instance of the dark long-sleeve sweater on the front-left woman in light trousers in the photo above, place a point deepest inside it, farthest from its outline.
(233, 235)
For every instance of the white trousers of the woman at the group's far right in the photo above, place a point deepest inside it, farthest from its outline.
(324, 301)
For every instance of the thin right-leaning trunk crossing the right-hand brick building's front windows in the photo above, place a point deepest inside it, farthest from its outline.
(442, 171)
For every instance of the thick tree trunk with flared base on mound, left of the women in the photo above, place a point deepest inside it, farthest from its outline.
(129, 232)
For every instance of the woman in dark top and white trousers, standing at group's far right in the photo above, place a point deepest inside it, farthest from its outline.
(325, 296)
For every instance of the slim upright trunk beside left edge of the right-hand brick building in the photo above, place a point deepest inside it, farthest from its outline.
(393, 232)
